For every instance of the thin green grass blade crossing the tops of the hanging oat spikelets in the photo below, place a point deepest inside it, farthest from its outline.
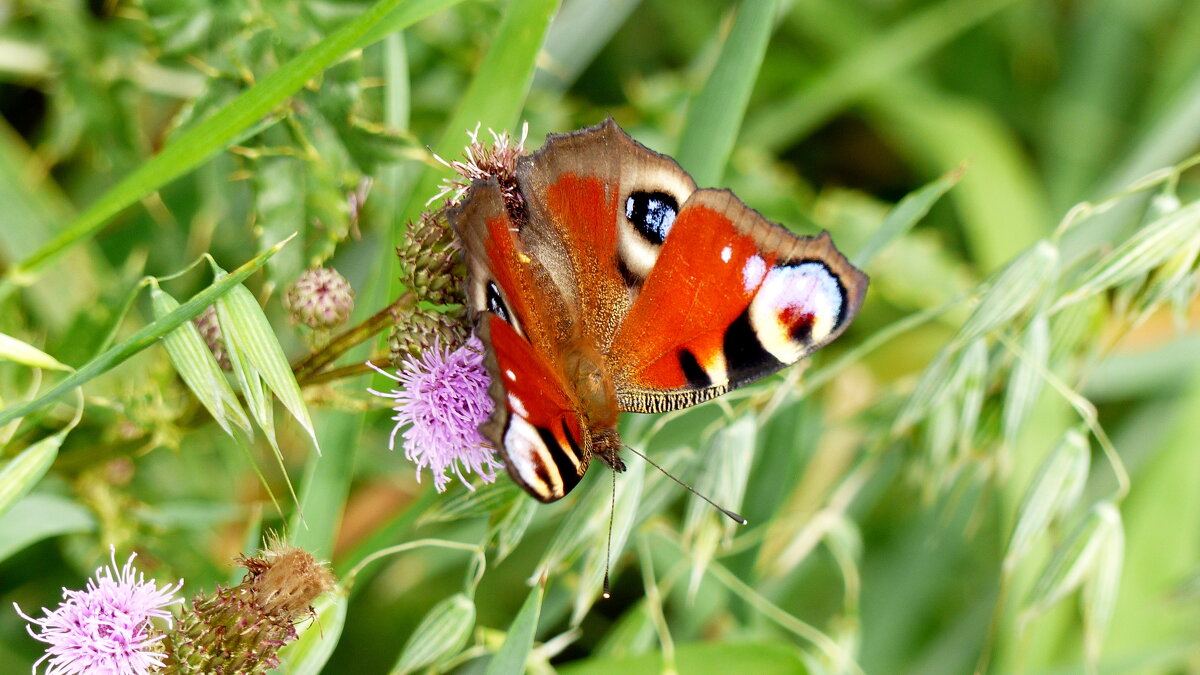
(143, 338)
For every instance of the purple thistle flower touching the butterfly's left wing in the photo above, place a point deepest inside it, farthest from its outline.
(443, 402)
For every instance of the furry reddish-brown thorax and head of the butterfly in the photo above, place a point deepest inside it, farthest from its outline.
(587, 378)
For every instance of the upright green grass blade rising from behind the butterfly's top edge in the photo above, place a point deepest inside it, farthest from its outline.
(716, 115)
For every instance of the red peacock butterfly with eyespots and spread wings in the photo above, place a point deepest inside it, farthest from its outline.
(605, 282)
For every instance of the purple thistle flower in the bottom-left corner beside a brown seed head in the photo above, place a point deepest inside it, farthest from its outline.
(105, 630)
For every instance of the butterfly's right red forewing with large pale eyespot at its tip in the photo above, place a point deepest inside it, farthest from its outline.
(731, 298)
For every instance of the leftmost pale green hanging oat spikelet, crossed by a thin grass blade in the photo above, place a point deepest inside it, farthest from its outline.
(196, 365)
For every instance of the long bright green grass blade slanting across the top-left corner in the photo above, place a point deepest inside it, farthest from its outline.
(218, 132)
